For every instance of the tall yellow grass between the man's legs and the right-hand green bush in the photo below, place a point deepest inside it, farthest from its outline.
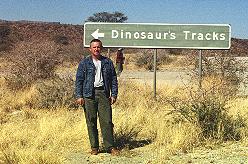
(152, 120)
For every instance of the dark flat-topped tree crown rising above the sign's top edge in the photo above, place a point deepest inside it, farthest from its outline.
(107, 17)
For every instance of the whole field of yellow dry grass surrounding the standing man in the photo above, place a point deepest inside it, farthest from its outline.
(39, 124)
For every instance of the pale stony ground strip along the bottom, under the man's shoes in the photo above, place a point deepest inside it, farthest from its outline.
(228, 153)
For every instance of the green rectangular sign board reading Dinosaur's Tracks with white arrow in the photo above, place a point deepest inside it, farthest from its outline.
(148, 35)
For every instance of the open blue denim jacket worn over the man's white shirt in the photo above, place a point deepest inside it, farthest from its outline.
(85, 78)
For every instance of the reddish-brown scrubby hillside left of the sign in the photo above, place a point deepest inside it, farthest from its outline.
(68, 39)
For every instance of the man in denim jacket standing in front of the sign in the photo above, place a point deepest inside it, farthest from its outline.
(97, 89)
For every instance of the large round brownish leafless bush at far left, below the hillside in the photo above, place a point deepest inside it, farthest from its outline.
(29, 65)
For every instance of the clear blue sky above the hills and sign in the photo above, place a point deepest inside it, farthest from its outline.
(234, 12)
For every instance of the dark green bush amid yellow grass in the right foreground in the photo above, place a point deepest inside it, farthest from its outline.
(209, 112)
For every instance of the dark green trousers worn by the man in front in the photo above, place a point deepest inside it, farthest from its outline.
(100, 105)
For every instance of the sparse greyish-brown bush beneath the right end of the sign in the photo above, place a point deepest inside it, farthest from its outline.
(229, 69)
